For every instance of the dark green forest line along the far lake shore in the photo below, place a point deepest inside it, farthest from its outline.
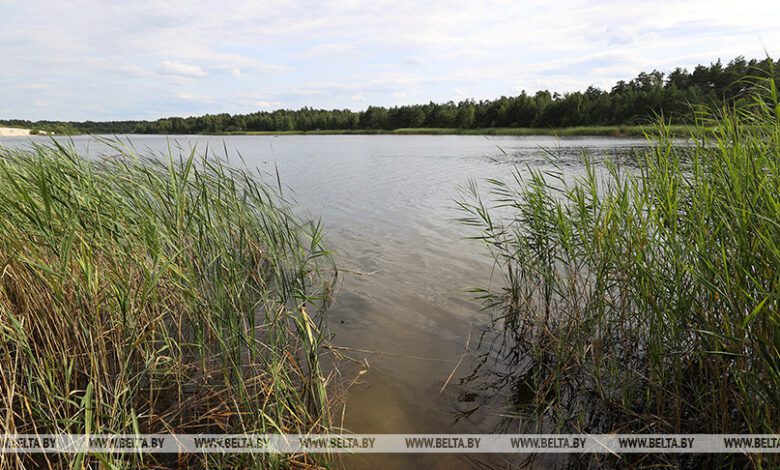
(636, 101)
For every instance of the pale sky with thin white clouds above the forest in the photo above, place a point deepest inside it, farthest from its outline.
(147, 59)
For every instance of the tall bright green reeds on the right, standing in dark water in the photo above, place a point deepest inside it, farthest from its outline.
(645, 299)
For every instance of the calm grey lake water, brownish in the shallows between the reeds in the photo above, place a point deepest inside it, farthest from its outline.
(401, 312)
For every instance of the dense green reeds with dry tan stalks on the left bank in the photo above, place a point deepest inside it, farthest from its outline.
(156, 294)
